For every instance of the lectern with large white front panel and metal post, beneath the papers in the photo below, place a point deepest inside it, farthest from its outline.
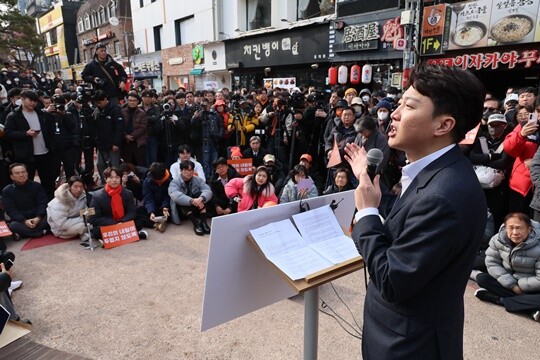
(240, 281)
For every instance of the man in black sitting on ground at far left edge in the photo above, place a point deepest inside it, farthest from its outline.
(25, 202)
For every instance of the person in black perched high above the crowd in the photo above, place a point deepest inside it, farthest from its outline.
(105, 74)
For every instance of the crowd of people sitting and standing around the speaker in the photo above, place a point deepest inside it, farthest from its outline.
(162, 156)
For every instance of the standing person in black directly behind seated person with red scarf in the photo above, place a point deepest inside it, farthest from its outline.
(109, 126)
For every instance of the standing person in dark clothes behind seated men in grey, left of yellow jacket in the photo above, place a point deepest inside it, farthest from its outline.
(206, 132)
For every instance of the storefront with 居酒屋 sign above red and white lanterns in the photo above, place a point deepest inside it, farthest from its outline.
(375, 39)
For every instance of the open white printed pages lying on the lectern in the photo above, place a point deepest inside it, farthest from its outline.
(322, 245)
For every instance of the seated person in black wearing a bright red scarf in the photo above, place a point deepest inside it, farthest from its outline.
(114, 204)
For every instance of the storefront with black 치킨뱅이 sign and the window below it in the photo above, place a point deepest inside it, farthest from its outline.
(285, 58)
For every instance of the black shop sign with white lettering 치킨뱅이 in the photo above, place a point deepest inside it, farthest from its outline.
(294, 46)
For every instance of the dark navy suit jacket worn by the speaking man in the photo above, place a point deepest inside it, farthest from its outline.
(419, 263)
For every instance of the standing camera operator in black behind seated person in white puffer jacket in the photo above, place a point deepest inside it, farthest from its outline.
(66, 134)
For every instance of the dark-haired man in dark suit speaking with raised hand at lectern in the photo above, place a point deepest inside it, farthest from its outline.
(420, 258)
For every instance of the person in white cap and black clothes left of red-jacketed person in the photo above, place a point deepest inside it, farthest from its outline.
(496, 158)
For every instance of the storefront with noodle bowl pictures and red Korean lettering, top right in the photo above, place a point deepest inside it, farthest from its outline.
(498, 40)
